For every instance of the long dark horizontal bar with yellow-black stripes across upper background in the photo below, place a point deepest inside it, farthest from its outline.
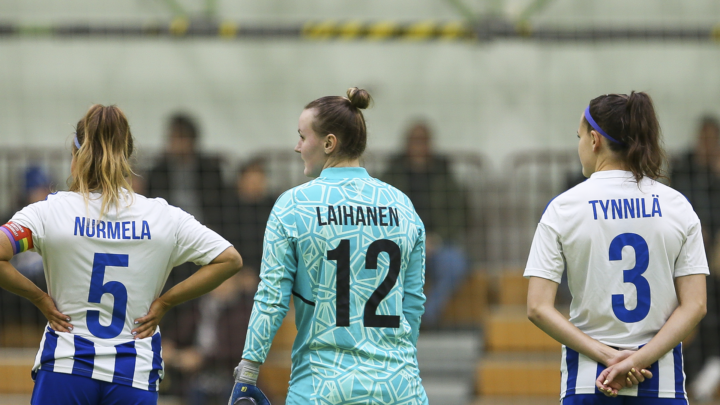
(354, 30)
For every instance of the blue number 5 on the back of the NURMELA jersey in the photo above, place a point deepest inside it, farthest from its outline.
(98, 289)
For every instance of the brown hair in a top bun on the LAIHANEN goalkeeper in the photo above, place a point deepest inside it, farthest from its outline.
(341, 116)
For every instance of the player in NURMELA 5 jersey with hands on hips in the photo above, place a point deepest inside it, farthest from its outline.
(107, 253)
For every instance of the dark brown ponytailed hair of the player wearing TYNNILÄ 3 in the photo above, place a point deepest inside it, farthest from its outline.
(631, 120)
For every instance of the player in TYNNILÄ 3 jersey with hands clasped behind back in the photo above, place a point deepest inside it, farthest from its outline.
(636, 264)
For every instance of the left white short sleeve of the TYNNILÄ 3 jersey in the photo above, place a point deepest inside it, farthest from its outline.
(546, 258)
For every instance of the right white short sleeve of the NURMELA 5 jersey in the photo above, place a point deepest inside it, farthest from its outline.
(195, 242)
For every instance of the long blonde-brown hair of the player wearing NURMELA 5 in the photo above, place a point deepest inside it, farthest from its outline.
(102, 163)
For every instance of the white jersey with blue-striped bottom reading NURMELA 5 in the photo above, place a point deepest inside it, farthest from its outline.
(105, 273)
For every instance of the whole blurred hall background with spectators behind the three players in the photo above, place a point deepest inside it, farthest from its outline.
(476, 107)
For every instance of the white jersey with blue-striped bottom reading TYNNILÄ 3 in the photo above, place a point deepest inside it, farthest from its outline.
(622, 244)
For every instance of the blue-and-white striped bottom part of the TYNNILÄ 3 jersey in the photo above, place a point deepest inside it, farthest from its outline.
(579, 373)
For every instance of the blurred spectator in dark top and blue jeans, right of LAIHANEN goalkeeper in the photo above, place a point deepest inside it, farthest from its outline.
(425, 177)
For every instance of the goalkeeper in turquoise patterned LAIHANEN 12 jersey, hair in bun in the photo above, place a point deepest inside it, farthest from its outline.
(350, 249)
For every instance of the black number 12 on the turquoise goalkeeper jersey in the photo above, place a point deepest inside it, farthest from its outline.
(341, 254)
